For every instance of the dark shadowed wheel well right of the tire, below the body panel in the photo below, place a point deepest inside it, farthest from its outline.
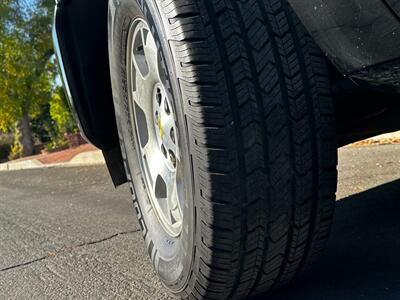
(362, 109)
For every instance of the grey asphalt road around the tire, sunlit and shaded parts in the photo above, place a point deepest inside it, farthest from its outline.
(65, 233)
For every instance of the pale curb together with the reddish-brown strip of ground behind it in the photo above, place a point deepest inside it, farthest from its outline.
(84, 155)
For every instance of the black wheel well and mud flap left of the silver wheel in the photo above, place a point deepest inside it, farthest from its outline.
(83, 38)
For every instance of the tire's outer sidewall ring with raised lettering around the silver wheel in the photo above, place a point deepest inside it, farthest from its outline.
(171, 257)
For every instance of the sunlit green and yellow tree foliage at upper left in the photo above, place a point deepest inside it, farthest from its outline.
(27, 66)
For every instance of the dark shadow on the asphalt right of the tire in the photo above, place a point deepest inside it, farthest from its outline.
(362, 260)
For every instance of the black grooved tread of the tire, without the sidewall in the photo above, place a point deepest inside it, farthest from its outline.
(258, 104)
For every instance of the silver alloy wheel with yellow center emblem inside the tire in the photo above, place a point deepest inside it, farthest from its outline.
(154, 120)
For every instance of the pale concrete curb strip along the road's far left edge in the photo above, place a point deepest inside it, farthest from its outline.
(91, 158)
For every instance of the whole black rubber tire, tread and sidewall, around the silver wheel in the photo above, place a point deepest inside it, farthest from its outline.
(251, 93)
